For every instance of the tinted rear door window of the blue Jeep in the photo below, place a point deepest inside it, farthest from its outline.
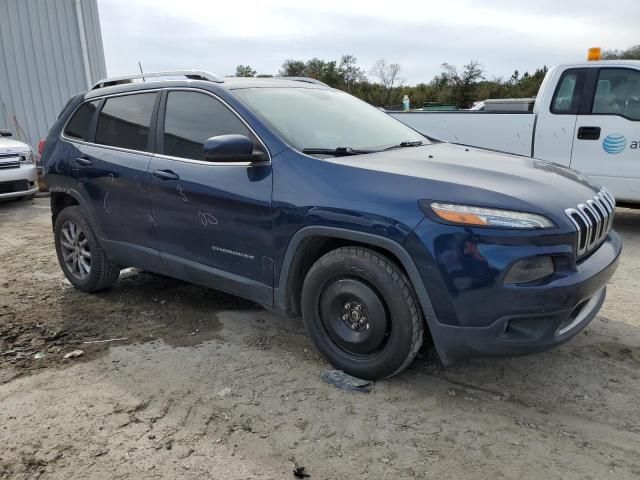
(125, 121)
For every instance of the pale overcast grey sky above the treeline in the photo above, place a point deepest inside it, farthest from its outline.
(503, 35)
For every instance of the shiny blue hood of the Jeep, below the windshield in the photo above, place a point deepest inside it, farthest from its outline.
(474, 176)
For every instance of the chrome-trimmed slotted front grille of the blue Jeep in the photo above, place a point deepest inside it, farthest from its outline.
(593, 220)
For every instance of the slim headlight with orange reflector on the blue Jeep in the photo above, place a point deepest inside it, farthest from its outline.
(487, 217)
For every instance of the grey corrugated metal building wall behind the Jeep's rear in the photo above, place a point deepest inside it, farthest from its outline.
(42, 63)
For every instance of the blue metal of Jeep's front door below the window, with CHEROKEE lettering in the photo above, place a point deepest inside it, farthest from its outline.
(215, 215)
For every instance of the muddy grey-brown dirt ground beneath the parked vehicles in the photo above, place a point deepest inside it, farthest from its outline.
(205, 385)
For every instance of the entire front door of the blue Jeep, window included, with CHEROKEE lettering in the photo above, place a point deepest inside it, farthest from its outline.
(214, 220)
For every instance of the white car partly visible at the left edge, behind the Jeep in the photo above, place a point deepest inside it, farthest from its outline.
(18, 172)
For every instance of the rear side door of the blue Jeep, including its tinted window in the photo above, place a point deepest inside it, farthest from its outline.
(113, 173)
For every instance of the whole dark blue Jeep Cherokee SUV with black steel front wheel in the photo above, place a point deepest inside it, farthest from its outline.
(309, 201)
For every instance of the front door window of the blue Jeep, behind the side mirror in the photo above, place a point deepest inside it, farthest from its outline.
(192, 118)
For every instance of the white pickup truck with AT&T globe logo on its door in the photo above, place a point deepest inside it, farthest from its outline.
(586, 116)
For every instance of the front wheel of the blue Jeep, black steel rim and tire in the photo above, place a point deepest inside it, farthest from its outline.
(361, 313)
